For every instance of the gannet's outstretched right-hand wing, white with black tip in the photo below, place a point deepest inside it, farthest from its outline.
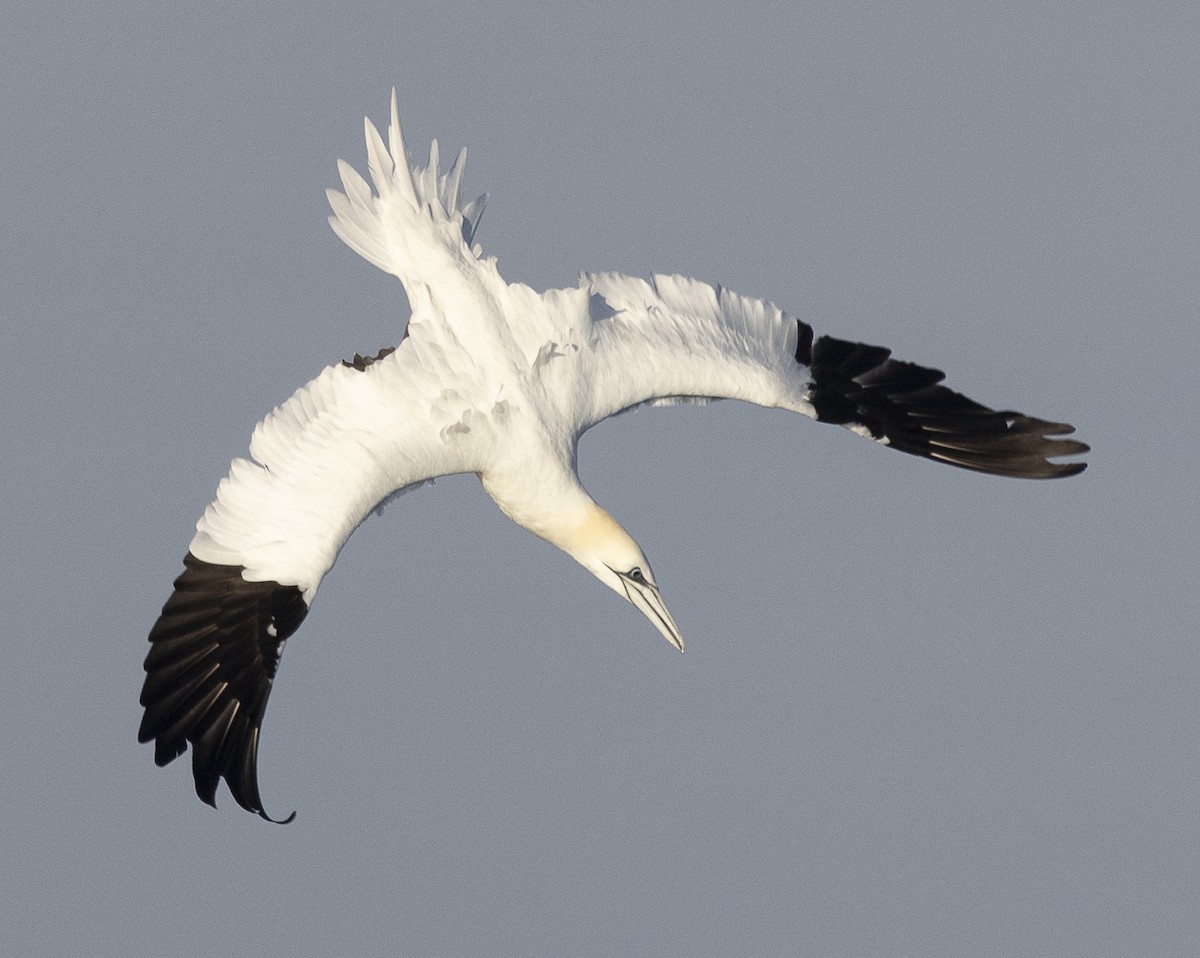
(679, 339)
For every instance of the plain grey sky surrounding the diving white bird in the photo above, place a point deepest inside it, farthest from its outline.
(922, 712)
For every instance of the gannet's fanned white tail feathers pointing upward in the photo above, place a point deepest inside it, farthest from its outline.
(413, 213)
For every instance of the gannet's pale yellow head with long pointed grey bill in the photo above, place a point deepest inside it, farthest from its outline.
(613, 556)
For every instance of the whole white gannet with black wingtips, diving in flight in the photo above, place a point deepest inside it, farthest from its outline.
(497, 380)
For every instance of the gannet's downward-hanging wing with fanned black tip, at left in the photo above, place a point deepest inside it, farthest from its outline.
(320, 464)
